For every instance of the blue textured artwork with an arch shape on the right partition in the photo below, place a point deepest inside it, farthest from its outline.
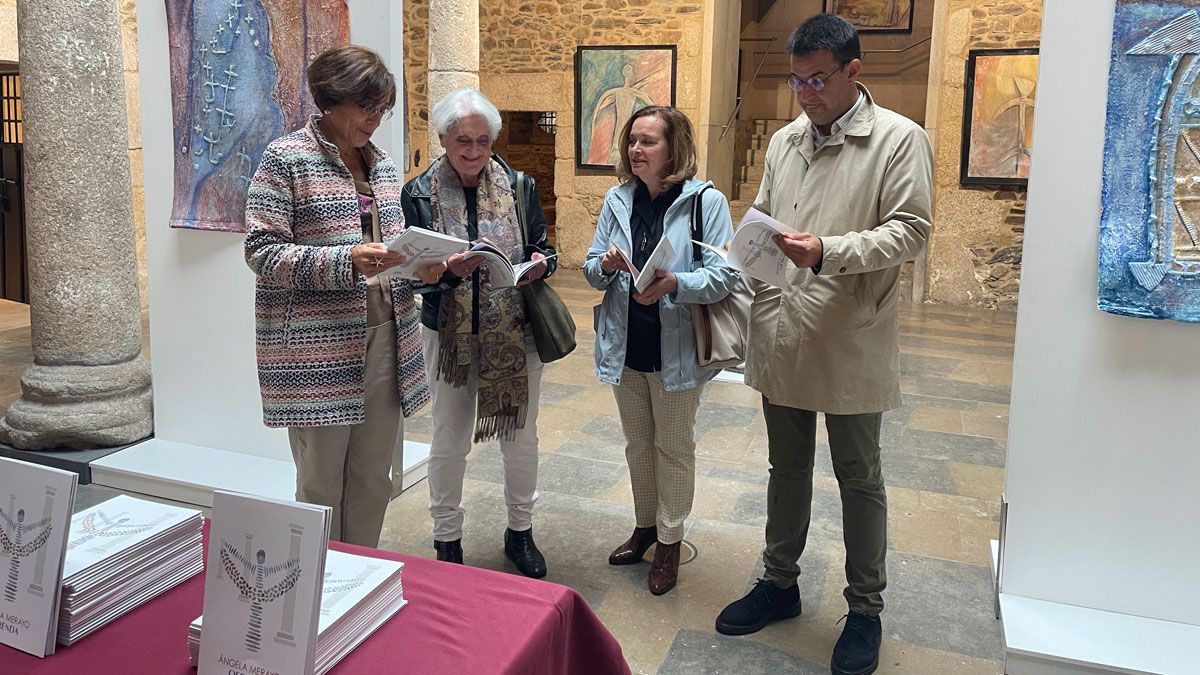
(1150, 201)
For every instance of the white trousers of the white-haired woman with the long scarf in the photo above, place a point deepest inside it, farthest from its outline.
(454, 426)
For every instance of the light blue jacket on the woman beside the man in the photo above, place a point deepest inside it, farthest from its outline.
(699, 285)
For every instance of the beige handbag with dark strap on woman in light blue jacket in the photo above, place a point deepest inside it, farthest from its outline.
(721, 327)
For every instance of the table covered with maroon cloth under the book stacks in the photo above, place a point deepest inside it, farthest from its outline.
(459, 620)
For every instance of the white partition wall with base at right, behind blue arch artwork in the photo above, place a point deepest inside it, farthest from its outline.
(1103, 528)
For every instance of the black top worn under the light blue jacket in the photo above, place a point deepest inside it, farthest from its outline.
(644, 344)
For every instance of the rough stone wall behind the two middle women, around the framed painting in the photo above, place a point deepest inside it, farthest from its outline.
(527, 63)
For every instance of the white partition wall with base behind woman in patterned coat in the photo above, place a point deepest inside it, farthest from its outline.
(209, 431)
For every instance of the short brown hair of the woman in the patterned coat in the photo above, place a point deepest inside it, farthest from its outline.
(351, 75)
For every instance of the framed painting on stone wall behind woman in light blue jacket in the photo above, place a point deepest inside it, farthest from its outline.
(610, 85)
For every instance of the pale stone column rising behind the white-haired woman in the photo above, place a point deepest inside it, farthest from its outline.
(454, 55)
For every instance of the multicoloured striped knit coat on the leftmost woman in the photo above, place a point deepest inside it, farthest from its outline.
(310, 303)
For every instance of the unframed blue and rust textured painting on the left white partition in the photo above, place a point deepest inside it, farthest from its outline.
(238, 82)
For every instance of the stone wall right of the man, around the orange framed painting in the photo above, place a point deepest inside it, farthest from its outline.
(975, 255)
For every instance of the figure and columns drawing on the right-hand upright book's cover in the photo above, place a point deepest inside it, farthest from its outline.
(250, 577)
